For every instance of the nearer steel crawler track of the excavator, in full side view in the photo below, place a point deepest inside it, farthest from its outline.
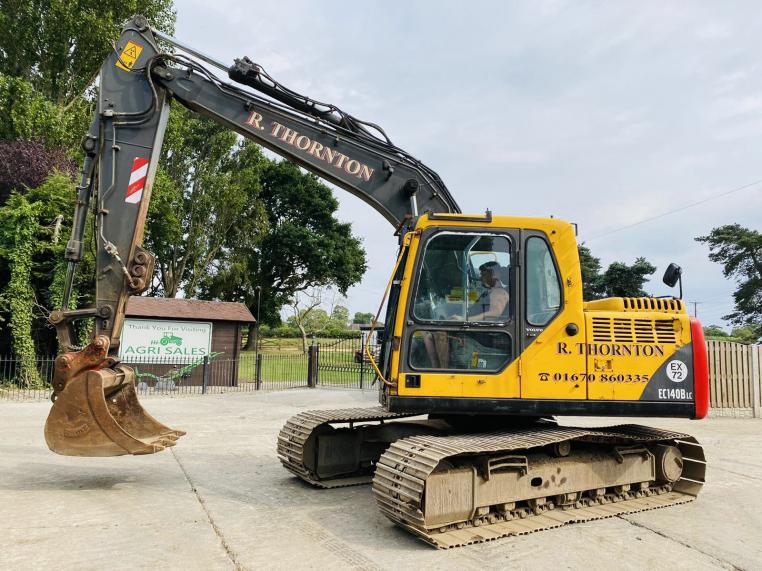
(410, 465)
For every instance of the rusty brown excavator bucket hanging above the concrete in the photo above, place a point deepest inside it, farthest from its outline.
(96, 411)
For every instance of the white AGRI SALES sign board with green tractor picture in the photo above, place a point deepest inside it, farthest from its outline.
(158, 341)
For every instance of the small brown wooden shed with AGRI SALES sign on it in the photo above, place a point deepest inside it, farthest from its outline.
(164, 337)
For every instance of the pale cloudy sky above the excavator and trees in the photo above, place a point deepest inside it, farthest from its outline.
(605, 114)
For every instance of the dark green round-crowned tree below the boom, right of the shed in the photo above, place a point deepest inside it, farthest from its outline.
(304, 246)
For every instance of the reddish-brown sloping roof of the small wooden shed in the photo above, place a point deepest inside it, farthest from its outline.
(172, 308)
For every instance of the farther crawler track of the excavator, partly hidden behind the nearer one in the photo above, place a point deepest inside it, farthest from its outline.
(297, 447)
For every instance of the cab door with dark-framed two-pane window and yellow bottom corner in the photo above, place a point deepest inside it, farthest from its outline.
(456, 343)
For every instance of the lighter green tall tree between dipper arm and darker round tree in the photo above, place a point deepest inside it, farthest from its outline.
(205, 201)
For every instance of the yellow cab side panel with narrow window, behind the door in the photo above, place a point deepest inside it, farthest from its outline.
(552, 363)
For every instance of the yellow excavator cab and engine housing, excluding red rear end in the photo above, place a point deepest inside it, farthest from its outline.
(615, 351)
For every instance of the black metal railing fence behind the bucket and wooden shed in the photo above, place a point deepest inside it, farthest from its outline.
(330, 362)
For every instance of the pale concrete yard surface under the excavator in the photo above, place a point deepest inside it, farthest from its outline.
(221, 500)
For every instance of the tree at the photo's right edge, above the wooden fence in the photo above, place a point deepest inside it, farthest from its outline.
(739, 250)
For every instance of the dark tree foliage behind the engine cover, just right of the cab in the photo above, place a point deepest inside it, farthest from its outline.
(619, 279)
